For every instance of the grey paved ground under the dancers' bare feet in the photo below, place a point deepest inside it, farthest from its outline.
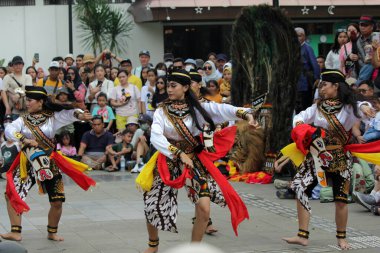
(110, 218)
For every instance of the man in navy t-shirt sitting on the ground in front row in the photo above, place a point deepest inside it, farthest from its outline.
(94, 144)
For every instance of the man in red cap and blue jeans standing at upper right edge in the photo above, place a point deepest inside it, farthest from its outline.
(364, 43)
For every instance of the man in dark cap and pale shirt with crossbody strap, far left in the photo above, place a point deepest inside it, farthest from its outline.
(13, 88)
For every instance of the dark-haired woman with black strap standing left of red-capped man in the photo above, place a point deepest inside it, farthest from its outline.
(348, 54)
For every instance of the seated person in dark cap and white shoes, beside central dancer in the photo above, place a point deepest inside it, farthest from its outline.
(141, 140)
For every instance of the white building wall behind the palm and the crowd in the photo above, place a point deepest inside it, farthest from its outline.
(43, 29)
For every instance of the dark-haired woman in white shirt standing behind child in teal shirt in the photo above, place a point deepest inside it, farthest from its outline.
(100, 84)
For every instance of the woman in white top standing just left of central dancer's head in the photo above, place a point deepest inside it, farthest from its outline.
(147, 93)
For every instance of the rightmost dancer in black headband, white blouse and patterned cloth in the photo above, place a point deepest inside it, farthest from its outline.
(334, 115)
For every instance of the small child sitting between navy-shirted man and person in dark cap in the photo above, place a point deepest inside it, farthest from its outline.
(124, 148)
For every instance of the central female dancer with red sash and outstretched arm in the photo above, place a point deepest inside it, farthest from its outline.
(176, 130)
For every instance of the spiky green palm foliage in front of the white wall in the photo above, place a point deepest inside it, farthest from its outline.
(102, 26)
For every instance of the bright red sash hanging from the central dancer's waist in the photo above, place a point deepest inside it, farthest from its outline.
(223, 141)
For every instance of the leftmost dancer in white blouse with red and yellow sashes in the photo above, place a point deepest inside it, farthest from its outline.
(38, 161)
